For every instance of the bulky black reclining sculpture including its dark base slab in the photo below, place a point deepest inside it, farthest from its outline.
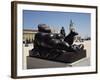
(56, 47)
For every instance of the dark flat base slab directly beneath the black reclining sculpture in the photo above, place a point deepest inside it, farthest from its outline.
(66, 57)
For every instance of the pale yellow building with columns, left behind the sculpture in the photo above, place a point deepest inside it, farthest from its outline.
(29, 34)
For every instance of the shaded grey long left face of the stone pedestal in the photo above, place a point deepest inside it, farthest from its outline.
(33, 62)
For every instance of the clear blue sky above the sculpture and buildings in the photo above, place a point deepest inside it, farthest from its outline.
(58, 19)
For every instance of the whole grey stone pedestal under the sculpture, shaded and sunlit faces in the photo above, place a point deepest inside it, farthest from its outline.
(33, 63)
